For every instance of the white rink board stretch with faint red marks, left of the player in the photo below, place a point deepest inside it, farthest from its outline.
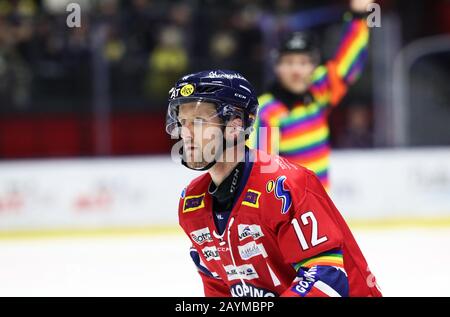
(90, 193)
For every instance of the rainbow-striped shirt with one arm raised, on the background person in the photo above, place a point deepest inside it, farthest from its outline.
(303, 133)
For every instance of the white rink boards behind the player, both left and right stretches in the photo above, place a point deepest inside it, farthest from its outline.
(134, 192)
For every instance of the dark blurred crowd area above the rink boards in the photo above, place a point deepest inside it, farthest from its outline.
(127, 54)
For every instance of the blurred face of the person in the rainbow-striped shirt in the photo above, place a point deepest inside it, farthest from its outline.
(294, 72)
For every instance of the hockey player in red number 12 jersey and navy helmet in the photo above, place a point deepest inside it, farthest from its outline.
(259, 224)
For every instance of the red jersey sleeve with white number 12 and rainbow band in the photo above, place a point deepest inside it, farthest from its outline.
(311, 241)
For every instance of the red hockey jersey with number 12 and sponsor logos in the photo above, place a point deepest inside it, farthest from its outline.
(282, 217)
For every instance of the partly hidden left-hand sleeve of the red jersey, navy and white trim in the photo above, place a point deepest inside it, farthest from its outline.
(213, 285)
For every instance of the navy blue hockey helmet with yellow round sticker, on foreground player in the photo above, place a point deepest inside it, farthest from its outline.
(232, 94)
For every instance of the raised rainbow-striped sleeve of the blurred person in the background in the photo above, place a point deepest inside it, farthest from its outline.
(330, 81)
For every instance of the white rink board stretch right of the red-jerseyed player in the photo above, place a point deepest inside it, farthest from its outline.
(391, 183)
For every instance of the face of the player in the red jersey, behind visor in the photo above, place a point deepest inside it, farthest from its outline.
(199, 122)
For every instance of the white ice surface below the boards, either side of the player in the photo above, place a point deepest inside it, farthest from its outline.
(406, 262)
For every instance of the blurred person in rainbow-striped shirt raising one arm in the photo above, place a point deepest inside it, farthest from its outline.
(299, 102)
